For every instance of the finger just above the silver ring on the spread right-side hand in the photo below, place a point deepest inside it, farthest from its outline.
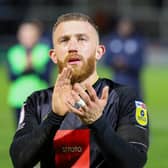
(78, 88)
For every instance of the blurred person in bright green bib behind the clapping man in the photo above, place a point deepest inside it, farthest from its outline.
(28, 64)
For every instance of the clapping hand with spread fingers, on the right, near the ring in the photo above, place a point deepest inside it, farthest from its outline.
(94, 107)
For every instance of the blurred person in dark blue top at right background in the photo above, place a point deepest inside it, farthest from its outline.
(125, 54)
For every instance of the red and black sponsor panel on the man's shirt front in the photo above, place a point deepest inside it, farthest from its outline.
(72, 148)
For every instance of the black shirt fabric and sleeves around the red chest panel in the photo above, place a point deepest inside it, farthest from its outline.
(117, 140)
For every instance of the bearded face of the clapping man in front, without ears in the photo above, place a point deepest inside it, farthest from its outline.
(75, 44)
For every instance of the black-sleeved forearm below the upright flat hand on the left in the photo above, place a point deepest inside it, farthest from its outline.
(26, 148)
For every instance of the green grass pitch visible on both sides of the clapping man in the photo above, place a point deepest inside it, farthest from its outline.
(155, 82)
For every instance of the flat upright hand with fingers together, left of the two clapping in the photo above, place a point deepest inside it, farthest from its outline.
(62, 91)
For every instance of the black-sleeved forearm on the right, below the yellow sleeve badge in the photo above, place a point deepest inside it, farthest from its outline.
(113, 146)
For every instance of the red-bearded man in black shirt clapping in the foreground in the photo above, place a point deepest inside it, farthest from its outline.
(84, 120)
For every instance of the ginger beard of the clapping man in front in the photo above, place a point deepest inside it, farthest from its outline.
(79, 72)
